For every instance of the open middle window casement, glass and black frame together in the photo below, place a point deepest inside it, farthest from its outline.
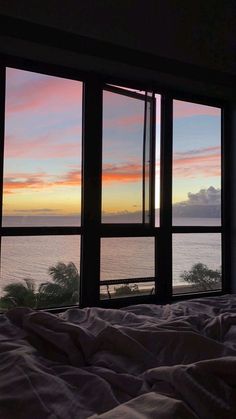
(128, 155)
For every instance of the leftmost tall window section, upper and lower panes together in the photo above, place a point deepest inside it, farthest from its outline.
(41, 190)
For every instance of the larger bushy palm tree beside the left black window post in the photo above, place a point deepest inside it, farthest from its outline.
(64, 290)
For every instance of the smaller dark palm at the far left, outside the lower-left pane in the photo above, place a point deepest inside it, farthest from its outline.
(19, 294)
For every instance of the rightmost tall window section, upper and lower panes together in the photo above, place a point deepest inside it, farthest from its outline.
(196, 197)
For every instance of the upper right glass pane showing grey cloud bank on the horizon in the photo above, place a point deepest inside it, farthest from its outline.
(196, 164)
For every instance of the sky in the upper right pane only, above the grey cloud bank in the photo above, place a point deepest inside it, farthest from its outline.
(196, 149)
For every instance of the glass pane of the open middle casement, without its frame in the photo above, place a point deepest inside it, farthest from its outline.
(122, 177)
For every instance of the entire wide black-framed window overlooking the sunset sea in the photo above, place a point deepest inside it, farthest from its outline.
(110, 195)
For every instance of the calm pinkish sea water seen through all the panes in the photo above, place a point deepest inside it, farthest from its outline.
(30, 257)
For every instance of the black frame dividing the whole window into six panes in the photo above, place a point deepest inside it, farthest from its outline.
(92, 230)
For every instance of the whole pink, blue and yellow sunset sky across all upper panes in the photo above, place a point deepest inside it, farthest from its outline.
(42, 157)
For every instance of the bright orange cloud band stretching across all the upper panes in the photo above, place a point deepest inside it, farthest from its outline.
(203, 162)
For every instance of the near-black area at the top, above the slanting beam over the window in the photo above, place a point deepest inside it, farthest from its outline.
(197, 32)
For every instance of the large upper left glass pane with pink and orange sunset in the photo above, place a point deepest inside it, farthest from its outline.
(42, 157)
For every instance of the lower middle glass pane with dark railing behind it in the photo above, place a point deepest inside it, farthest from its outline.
(127, 262)
